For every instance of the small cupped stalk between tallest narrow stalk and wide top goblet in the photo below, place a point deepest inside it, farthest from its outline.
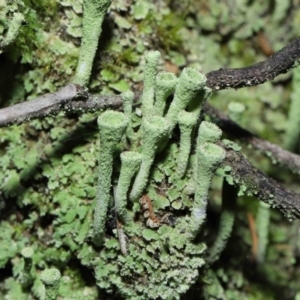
(165, 86)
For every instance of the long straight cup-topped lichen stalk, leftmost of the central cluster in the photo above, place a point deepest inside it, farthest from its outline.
(111, 127)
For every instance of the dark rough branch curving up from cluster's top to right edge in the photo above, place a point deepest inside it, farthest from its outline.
(279, 63)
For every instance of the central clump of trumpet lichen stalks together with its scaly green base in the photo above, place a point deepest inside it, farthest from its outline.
(156, 258)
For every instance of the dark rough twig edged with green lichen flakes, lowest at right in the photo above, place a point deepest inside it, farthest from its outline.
(253, 182)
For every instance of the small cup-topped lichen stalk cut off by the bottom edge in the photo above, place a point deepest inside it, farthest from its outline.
(51, 279)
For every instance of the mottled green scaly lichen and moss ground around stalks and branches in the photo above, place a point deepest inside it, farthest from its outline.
(48, 173)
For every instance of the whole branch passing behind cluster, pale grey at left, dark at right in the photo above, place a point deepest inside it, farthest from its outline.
(278, 63)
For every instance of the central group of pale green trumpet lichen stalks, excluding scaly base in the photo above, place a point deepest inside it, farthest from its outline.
(152, 137)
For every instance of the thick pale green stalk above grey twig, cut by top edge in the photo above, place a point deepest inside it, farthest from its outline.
(93, 15)
